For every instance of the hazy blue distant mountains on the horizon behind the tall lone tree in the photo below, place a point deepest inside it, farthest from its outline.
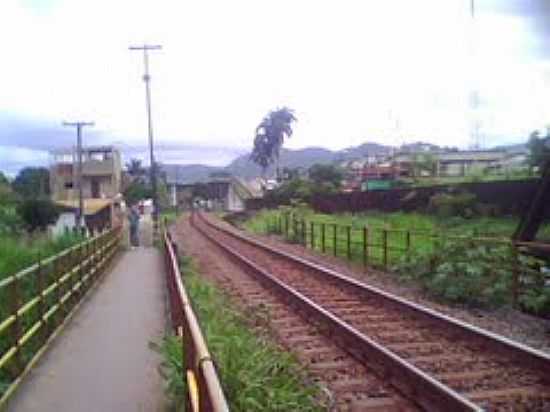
(242, 166)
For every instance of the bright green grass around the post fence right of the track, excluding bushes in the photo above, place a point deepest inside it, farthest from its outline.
(391, 226)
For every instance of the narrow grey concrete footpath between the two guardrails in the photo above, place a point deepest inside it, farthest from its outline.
(101, 362)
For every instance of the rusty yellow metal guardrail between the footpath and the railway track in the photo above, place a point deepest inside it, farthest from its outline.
(205, 393)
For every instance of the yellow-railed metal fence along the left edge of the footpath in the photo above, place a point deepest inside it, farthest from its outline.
(39, 300)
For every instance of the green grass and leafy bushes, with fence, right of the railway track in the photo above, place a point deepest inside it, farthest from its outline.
(450, 256)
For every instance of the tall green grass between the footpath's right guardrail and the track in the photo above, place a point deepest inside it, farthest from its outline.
(255, 374)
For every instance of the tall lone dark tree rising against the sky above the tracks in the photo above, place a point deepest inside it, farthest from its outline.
(270, 136)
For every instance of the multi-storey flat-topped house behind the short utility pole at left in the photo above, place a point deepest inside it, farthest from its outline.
(101, 185)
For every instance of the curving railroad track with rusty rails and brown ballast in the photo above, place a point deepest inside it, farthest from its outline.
(436, 361)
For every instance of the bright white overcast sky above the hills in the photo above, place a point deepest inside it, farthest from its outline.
(388, 71)
